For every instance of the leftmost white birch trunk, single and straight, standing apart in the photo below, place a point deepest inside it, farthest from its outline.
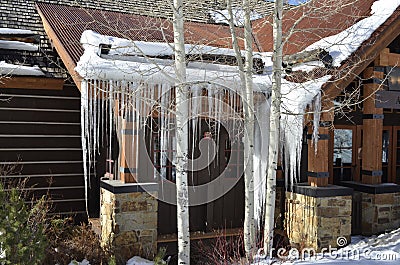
(182, 112)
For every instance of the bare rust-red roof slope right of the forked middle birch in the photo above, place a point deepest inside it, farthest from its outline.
(314, 21)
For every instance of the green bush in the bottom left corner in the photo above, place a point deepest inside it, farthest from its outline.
(22, 229)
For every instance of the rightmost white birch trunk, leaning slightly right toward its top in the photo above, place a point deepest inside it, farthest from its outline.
(274, 128)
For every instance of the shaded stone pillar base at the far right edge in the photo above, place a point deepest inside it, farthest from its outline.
(380, 212)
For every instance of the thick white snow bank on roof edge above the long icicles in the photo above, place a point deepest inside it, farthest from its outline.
(123, 63)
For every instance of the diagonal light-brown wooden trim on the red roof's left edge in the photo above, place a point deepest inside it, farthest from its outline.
(62, 52)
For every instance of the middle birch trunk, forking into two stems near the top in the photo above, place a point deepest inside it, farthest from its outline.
(245, 72)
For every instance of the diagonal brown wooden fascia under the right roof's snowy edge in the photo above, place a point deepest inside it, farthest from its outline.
(366, 55)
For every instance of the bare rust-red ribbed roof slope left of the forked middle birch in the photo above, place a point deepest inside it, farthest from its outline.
(122, 25)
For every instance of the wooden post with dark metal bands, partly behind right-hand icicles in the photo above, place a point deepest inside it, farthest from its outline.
(318, 157)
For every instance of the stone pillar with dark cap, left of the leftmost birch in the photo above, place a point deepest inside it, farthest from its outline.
(128, 218)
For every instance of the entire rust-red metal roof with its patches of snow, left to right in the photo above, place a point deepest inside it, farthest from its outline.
(355, 27)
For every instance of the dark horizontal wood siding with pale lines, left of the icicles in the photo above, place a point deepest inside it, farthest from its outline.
(40, 135)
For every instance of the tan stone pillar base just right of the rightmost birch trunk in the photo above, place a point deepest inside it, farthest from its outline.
(317, 222)
